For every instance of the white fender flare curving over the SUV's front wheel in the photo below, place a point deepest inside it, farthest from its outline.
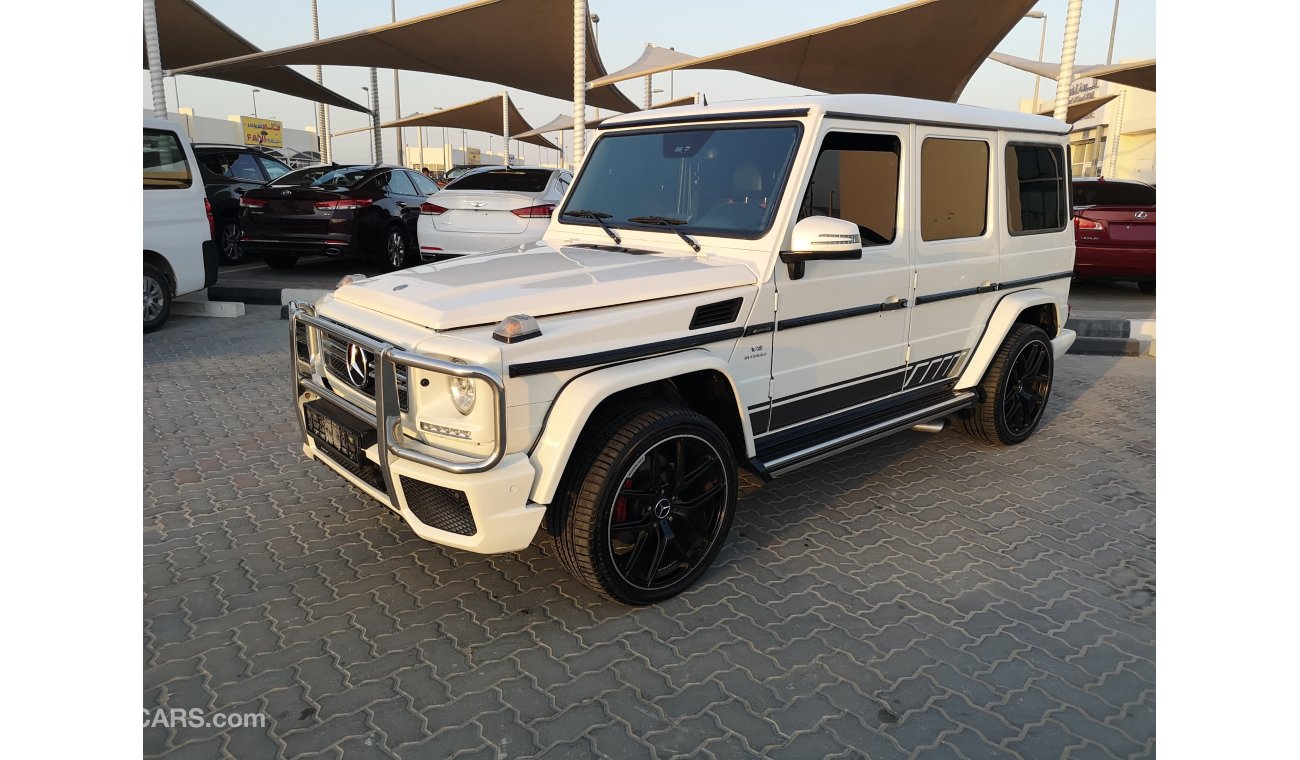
(573, 409)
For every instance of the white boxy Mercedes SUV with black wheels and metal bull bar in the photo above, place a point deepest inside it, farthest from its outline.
(759, 284)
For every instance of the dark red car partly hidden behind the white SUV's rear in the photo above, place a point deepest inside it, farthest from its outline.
(1115, 231)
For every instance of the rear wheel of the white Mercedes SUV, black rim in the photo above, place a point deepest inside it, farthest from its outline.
(1015, 390)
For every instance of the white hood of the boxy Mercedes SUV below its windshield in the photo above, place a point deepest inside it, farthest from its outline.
(536, 280)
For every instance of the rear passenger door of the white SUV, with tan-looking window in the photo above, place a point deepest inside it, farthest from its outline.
(955, 250)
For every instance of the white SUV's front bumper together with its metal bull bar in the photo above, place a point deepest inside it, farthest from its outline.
(480, 506)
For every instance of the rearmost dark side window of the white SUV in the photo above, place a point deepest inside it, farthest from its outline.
(1035, 189)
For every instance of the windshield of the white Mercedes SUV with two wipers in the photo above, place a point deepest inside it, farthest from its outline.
(716, 181)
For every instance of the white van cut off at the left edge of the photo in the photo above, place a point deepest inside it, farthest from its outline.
(180, 255)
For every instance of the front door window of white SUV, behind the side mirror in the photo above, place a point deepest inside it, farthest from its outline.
(856, 179)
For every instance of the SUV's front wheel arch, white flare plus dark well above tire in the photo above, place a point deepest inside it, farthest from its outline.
(694, 379)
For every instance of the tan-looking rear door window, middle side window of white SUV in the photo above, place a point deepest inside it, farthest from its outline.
(954, 189)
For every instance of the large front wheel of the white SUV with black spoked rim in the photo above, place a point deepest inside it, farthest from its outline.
(648, 505)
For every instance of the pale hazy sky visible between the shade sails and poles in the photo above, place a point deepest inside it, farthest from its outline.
(692, 27)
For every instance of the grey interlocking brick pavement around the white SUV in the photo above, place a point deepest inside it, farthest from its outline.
(928, 597)
